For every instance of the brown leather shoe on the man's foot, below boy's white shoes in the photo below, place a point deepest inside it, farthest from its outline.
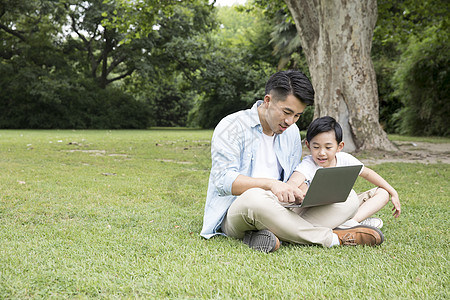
(360, 235)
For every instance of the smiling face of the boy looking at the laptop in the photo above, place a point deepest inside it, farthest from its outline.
(323, 149)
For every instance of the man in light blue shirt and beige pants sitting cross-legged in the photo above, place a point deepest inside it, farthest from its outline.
(253, 154)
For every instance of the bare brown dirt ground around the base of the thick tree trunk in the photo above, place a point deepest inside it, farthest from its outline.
(408, 152)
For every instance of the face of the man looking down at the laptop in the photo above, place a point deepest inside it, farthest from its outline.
(281, 114)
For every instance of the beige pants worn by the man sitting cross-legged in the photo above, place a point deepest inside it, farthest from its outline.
(257, 209)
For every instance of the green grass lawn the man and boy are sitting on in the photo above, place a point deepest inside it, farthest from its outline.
(117, 214)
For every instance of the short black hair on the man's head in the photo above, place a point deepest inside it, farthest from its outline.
(294, 82)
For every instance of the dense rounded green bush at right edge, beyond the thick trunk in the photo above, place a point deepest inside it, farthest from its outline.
(423, 79)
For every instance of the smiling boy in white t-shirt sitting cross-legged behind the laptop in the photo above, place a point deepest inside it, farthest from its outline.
(324, 140)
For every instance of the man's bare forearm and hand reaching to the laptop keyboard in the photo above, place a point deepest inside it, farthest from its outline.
(284, 192)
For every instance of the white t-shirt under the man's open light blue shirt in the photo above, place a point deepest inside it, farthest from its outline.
(266, 161)
